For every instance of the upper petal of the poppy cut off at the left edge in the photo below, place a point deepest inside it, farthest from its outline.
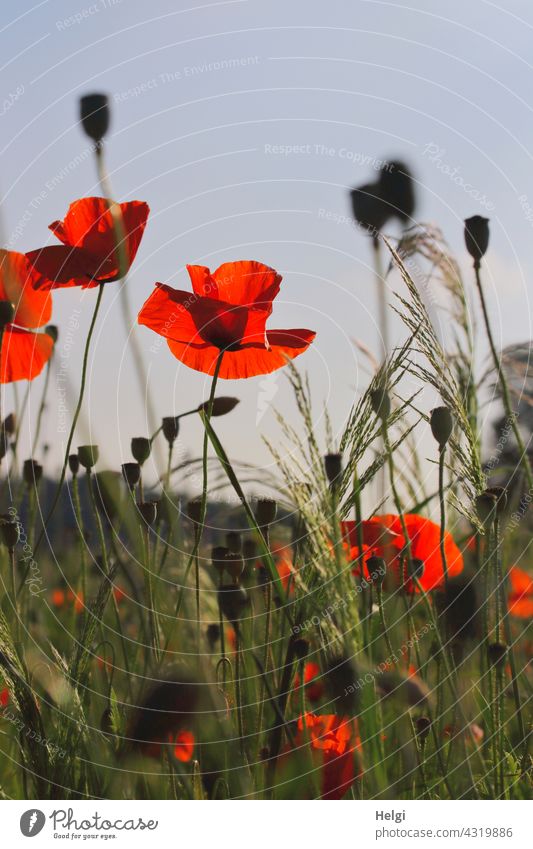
(17, 282)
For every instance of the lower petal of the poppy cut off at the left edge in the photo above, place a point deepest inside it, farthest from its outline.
(24, 354)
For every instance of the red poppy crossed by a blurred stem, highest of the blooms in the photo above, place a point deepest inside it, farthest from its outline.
(89, 255)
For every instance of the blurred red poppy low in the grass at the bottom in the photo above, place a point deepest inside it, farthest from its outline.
(335, 744)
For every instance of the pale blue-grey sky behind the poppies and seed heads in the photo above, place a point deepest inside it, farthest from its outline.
(243, 124)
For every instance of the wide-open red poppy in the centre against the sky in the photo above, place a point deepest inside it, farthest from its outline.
(227, 311)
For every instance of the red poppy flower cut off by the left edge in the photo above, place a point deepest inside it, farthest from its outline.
(24, 353)
